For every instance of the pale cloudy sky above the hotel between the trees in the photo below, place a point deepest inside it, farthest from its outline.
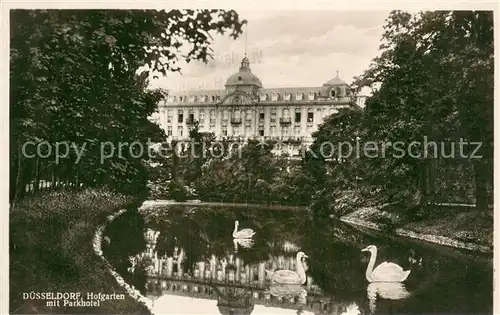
(289, 49)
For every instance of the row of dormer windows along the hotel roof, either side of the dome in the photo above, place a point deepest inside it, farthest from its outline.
(263, 97)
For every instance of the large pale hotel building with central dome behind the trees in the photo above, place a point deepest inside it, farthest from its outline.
(245, 109)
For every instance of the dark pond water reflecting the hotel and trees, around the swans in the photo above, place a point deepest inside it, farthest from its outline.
(194, 266)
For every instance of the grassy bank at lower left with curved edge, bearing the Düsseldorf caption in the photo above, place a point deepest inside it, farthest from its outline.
(51, 251)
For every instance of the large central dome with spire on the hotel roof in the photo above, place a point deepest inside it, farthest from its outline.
(244, 81)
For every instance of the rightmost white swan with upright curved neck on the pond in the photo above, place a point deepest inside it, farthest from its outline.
(386, 271)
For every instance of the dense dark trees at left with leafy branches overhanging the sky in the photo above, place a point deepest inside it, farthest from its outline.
(74, 77)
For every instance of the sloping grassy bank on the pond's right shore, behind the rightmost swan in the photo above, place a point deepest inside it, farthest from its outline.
(461, 227)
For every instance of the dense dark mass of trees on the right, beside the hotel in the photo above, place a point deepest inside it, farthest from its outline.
(431, 82)
